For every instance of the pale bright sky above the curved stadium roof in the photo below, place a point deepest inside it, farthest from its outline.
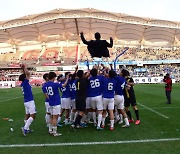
(159, 9)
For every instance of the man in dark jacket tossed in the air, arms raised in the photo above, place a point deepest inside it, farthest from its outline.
(98, 48)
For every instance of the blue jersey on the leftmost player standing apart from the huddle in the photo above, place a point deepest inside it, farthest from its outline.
(27, 91)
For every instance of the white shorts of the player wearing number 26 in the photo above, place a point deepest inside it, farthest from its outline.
(96, 102)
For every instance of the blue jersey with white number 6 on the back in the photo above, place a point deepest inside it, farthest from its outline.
(109, 86)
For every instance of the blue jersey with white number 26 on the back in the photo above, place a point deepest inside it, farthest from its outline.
(95, 86)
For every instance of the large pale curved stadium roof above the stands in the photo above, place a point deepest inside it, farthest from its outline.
(65, 25)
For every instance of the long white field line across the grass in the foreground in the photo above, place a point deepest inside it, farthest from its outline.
(89, 143)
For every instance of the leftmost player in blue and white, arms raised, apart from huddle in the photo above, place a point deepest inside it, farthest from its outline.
(28, 100)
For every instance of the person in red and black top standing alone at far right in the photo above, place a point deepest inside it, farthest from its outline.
(168, 87)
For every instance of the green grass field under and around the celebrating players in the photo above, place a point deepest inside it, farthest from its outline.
(158, 121)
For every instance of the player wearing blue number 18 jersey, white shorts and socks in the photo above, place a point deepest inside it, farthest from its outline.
(52, 92)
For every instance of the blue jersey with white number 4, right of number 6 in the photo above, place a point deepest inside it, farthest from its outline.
(121, 82)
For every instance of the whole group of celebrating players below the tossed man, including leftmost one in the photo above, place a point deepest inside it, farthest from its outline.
(97, 96)
